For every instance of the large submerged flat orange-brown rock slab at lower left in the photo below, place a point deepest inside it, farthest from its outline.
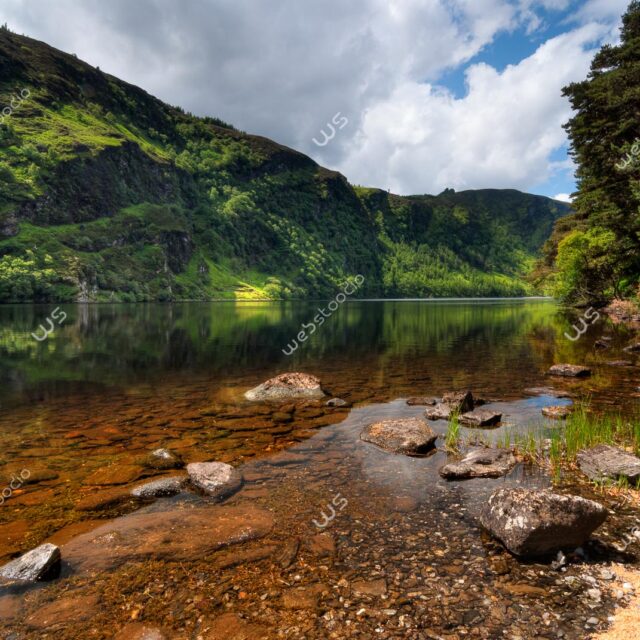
(179, 535)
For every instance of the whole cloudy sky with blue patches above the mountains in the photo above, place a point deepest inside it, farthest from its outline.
(414, 96)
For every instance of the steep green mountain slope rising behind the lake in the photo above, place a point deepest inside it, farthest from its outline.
(106, 193)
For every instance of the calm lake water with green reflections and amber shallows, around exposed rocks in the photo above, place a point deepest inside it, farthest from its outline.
(403, 554)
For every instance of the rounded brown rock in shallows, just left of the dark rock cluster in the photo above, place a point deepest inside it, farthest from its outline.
(409, 436)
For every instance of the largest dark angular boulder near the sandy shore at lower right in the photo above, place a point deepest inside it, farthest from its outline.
(533, 523)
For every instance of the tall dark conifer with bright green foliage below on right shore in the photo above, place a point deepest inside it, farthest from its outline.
(594, 255)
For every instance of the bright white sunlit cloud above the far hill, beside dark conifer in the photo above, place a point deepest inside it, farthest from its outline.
(501, 134)
